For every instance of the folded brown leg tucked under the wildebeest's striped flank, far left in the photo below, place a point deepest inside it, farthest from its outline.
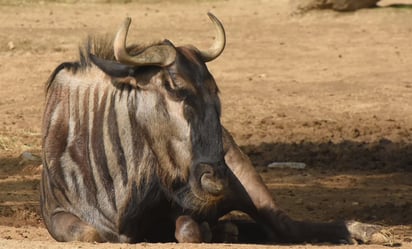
(68, 227)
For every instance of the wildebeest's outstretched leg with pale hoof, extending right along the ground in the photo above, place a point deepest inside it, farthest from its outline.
(281, 227)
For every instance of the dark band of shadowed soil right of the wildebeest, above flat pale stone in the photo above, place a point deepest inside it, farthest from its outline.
(381, 155)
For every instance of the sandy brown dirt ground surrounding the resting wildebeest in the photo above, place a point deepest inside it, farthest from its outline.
(331, 90)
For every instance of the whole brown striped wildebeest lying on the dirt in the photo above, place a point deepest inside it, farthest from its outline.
(134, 150)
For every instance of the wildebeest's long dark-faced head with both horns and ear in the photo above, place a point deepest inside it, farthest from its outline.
(179, 110)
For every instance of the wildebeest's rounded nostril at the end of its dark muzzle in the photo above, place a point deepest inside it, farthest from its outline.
(212, 180)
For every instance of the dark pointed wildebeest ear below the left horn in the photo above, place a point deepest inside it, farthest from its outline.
(112, 68)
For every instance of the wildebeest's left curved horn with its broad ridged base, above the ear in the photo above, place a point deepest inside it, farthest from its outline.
(159, 55)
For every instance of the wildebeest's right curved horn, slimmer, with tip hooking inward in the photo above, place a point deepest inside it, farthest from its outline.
(217, 48)
